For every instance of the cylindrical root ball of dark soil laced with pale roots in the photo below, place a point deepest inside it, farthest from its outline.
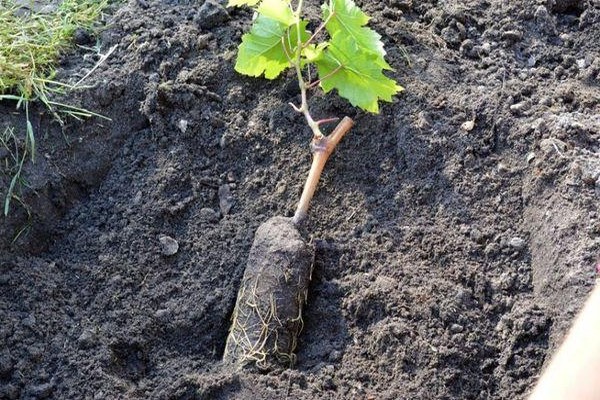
(268, 313)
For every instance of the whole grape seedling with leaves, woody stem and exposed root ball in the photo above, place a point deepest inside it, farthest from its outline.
(268, 313)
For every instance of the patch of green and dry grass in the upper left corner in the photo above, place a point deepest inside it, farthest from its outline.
(30, 46)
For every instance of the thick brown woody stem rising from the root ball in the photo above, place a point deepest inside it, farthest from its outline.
(322, 149)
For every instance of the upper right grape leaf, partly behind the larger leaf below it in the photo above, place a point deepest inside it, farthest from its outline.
(346, 17)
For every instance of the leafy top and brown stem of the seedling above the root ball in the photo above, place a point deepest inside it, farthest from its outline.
(351, 61)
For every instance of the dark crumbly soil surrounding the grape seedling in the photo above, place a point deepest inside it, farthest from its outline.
(455, 234)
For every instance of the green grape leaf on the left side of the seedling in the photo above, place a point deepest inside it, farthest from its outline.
(267, 47)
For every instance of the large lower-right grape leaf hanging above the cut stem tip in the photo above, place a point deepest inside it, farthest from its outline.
(355, 73)
